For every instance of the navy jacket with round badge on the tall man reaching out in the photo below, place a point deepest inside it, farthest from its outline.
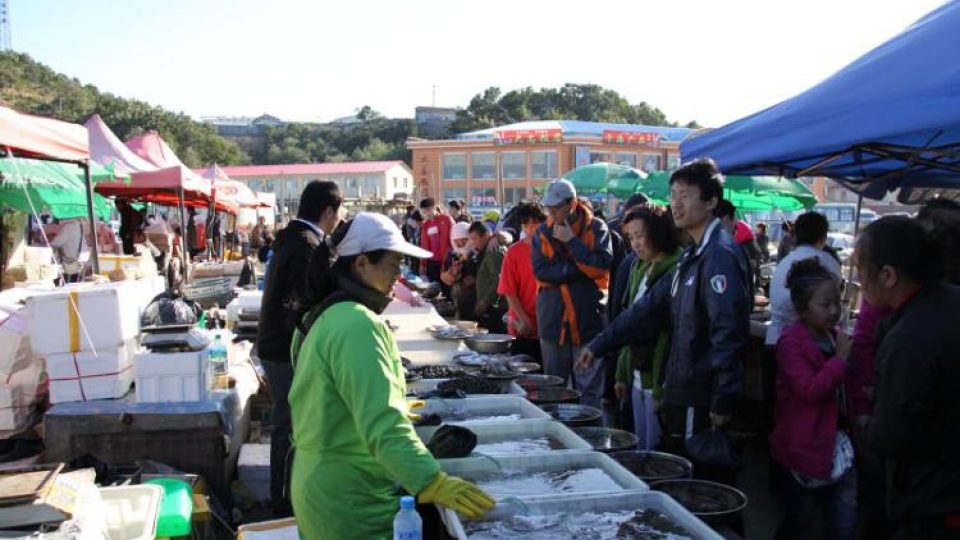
(706, 307)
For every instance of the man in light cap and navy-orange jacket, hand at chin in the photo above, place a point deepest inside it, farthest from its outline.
(571, 255)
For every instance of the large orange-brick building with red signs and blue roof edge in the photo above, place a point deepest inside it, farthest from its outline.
(529, 154)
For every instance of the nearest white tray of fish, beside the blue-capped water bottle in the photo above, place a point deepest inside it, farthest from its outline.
(628, 514)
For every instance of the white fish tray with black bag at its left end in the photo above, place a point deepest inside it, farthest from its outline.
(511, 438)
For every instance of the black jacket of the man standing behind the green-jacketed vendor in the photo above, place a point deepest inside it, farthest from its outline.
(284, 289)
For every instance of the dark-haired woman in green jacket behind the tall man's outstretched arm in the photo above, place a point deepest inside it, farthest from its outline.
(654, 239)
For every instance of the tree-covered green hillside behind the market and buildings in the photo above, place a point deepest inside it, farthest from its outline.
(29, 86)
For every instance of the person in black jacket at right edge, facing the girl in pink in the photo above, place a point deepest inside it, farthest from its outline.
(916, 413)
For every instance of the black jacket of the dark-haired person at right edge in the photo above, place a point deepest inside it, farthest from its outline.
(915, 426)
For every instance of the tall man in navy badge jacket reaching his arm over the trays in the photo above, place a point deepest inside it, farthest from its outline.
(705, 305)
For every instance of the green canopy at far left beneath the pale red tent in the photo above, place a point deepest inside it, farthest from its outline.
(52, 186)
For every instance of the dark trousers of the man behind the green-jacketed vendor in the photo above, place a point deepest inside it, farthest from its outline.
(279, 378)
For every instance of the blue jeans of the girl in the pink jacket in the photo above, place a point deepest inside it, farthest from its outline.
(837, 502)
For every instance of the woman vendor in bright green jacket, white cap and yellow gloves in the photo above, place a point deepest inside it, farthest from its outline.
(353, 439)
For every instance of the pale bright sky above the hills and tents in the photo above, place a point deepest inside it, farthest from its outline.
(713, 61)
